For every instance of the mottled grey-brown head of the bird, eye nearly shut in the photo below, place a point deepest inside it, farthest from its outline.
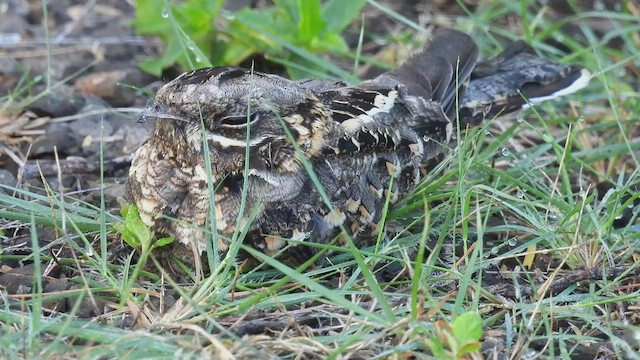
(238, 108)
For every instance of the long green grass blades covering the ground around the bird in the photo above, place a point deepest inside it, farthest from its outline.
(517, 198)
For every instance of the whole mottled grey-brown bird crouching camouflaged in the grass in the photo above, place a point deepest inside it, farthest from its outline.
(356, 138)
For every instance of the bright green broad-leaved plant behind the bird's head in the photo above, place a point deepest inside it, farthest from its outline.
(288, 32)
